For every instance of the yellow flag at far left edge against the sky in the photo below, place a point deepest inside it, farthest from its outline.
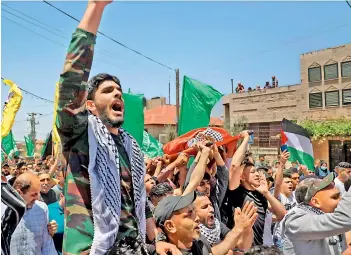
(11, 108)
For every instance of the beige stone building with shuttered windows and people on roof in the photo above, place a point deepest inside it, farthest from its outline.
(323, 94)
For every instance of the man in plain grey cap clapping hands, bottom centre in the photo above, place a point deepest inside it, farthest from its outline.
(177, 218)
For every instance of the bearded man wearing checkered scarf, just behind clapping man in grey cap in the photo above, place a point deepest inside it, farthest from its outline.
(212, 228)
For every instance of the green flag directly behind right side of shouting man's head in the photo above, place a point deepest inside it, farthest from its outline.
(134, 116)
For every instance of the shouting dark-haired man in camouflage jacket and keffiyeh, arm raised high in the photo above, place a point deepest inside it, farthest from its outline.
(105, 194)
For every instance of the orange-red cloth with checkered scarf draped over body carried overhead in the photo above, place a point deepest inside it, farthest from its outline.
(184, 142)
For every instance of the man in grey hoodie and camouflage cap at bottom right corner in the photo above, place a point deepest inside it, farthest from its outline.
(318, 224)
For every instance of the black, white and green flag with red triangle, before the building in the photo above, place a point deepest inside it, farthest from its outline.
(297, 139)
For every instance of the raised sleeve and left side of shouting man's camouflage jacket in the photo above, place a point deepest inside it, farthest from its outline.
(72, 123)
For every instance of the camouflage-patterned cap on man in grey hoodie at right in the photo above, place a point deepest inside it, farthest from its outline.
(310, 186)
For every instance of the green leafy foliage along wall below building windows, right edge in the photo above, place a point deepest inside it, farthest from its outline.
(317, 129)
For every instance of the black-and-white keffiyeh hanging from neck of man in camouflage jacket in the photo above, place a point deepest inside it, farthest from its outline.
(104, 174)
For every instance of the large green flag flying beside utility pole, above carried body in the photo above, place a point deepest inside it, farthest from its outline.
(198, 100)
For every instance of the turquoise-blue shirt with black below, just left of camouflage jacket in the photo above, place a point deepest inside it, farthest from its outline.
(56, 213)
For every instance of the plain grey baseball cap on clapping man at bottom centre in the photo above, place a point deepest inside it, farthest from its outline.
(170, 204)
